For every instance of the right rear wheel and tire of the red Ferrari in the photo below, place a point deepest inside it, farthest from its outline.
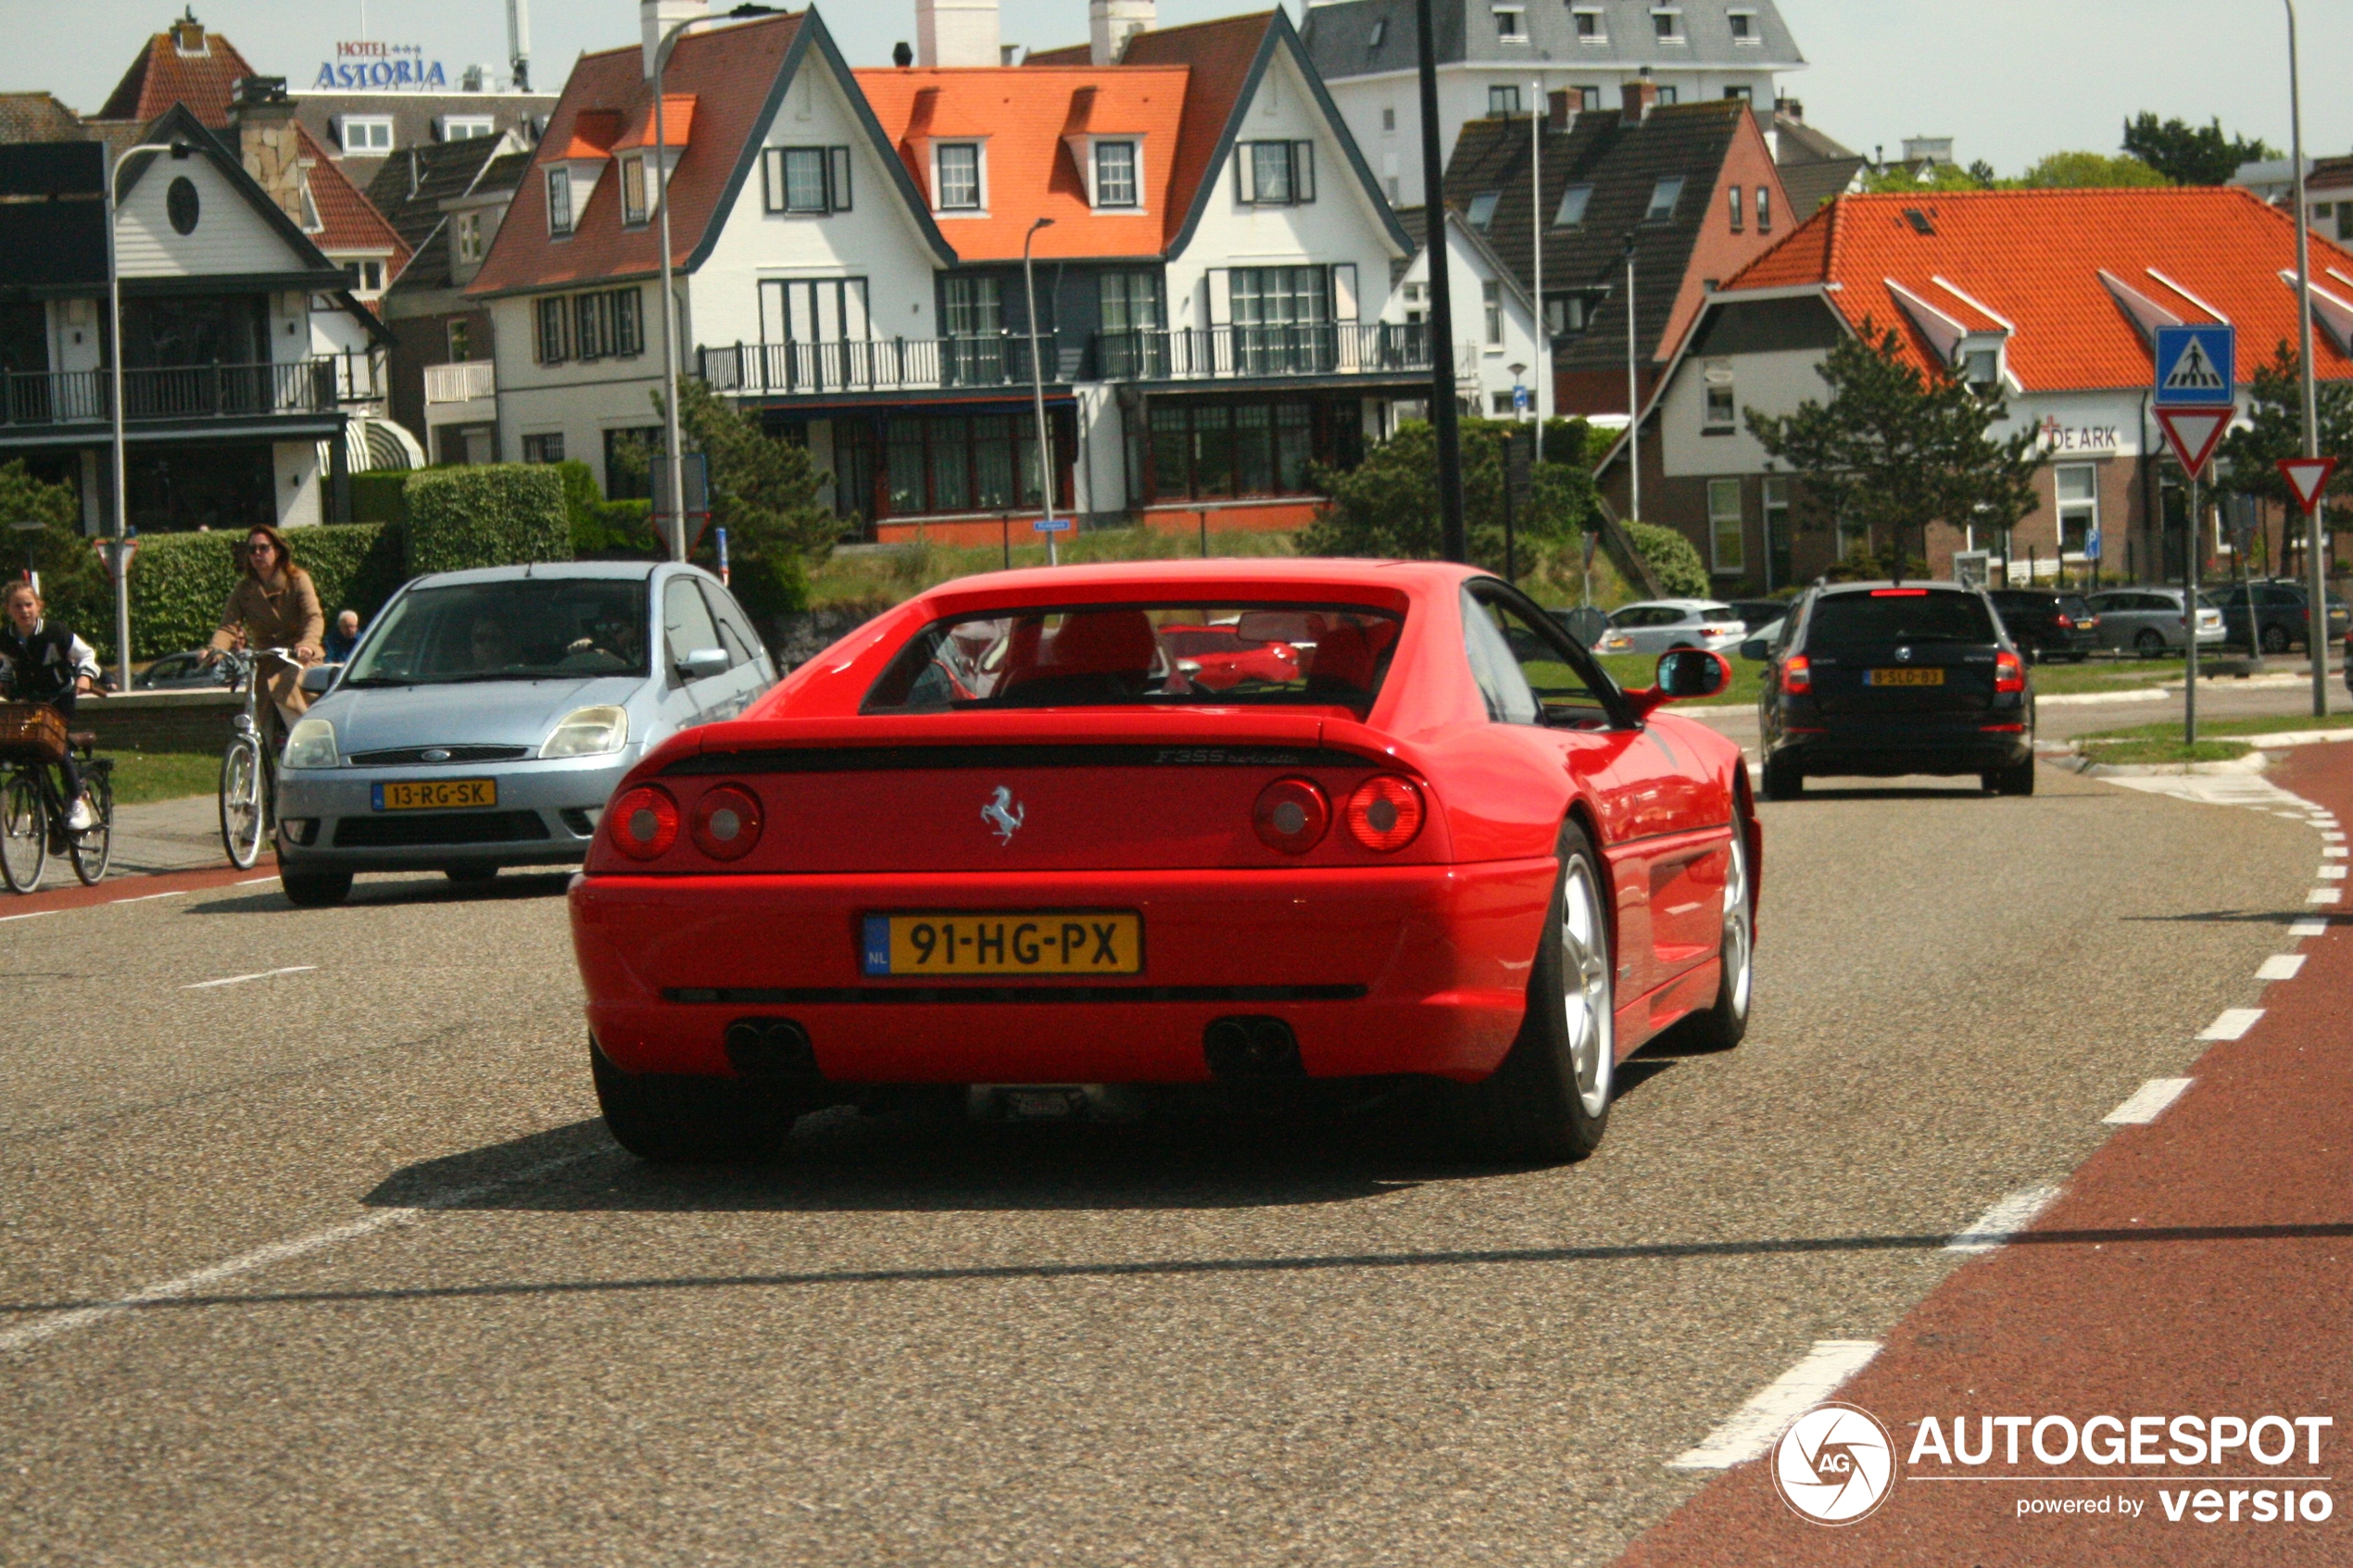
(1549, 1101)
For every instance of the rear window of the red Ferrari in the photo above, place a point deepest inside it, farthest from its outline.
(1154, 655)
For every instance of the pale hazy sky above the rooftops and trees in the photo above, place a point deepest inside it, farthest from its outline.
(2006, 79)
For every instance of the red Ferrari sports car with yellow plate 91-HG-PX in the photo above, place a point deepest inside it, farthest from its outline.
(1001, 838)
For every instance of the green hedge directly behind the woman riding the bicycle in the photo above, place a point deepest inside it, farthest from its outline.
(180, 582)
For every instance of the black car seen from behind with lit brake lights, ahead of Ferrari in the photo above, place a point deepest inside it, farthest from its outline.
(1898, 678)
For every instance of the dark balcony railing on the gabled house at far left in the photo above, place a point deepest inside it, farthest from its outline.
(185, 391)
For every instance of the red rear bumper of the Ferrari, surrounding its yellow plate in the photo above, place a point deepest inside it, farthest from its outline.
(1413, 970)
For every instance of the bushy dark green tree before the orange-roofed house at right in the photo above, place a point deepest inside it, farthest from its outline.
(1898, 450)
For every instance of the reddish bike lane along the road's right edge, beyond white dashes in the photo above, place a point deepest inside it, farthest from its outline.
(2199, 1266)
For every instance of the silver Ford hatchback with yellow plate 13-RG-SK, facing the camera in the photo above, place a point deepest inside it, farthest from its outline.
(486, 718)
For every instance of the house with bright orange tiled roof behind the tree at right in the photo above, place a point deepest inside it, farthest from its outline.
(2051, 297)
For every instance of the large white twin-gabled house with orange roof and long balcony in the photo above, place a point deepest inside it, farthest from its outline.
(1208, 257)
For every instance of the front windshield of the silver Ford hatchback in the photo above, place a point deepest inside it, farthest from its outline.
(514, 629)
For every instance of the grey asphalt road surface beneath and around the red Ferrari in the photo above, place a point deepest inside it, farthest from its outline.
(338, 1266)
